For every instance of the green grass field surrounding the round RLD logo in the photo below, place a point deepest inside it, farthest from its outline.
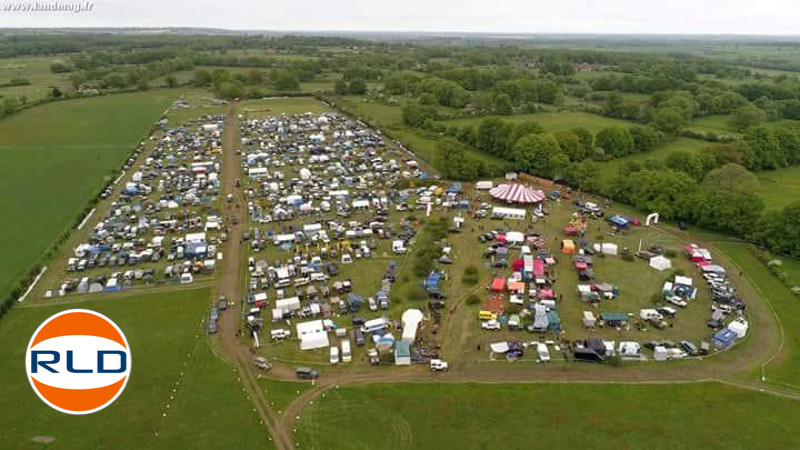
(169, 352)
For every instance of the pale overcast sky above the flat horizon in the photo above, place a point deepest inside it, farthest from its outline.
(511, 16)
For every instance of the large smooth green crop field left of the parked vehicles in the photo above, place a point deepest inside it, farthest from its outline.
(54, 158)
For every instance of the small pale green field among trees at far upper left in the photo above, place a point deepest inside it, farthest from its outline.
(35, 70)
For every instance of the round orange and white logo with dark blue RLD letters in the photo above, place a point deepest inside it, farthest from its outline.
(78, 361)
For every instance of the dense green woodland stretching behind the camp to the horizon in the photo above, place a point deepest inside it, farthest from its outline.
(656, 96)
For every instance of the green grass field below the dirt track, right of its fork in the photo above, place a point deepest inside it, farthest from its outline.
(522, 416)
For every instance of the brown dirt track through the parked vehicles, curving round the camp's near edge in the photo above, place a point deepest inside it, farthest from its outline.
(763, 341)
